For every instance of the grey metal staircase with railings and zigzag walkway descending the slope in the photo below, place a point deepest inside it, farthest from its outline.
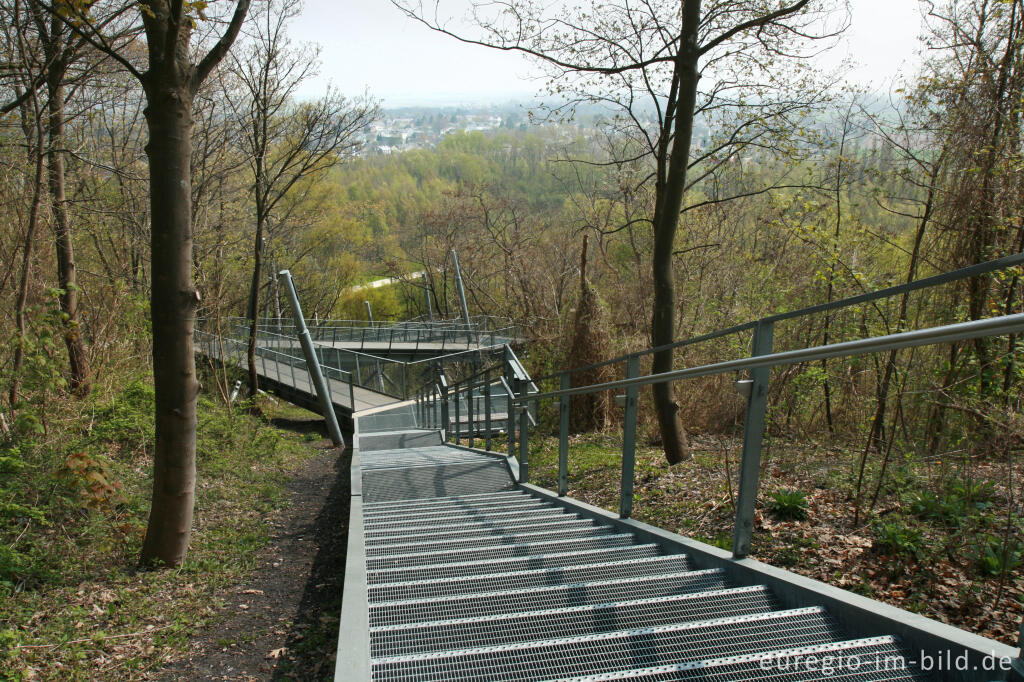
(458, 569)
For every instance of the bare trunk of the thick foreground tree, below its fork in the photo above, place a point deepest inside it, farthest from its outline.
(174, 302)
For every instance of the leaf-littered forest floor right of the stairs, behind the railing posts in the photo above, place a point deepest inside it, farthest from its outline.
(937, 542)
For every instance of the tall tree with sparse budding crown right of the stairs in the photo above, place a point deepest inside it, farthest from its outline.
(664, 67)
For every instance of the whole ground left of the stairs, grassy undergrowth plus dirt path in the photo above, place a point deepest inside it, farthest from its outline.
(259, 596)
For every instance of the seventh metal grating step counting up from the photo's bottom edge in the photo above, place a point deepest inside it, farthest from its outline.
(486, 553)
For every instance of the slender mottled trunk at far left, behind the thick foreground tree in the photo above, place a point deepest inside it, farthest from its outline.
(67, 279)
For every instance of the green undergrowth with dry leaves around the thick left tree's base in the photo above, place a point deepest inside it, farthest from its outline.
(74, 504)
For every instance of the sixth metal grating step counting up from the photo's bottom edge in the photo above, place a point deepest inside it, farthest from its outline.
(510, 565)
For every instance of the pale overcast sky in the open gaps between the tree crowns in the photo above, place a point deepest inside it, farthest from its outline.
(369, 45)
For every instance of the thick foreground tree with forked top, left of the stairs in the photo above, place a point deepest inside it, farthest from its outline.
(170, 78)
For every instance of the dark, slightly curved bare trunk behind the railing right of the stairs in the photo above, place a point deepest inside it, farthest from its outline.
(669, 204)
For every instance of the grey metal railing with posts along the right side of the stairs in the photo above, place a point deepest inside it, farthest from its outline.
(759, 365)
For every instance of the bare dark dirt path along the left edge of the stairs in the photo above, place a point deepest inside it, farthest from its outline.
(283, 625)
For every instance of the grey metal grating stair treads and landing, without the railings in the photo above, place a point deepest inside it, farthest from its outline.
(472, 577)
